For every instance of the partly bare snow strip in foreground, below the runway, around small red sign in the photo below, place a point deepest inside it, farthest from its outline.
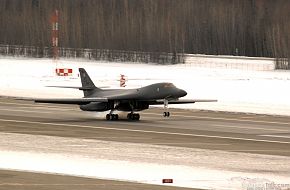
(143, 163)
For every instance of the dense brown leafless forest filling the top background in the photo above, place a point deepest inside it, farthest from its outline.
(227, 27)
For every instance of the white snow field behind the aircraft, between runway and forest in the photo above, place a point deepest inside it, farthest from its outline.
(265, 92)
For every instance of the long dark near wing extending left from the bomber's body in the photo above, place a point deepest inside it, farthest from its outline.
(78, 101)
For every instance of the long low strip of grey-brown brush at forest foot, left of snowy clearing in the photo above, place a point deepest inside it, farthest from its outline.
(94, 54)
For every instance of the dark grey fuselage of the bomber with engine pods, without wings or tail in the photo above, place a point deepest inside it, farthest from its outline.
(133, 99)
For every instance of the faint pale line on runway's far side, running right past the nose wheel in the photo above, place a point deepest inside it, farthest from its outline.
(226, 119)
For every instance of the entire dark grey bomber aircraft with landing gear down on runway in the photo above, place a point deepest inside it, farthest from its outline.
(129, 100)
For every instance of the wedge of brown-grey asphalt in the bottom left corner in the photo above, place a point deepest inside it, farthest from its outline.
(26, 180)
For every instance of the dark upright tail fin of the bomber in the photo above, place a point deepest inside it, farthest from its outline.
(87, 84)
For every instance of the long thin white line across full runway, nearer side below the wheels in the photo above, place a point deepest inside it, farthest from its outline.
(144, 131)
